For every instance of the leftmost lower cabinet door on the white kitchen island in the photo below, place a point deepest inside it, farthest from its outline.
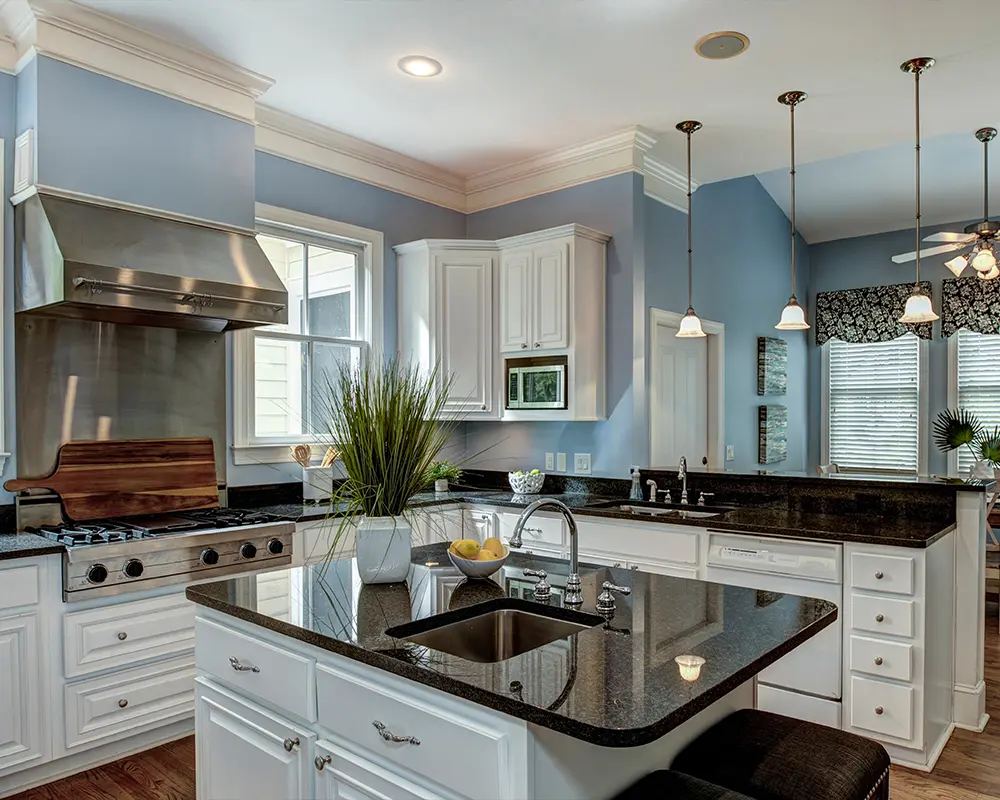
(245, 752)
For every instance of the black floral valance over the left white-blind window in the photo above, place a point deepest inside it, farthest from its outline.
(867, 315)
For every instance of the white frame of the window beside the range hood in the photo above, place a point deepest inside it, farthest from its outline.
(248, 448)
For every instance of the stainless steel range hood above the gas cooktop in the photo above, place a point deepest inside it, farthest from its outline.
(87, 261)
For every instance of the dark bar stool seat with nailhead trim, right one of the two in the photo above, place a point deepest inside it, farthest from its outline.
(771, 757)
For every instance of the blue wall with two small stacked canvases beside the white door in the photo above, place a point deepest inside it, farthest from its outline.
(741, 279)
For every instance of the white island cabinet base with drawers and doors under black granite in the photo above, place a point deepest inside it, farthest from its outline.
(367, 733)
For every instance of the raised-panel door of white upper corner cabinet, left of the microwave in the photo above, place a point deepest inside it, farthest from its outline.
(465, 331)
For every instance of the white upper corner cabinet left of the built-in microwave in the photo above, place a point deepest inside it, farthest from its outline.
(446, 319)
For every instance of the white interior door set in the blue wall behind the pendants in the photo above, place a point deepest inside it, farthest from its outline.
(679, 400)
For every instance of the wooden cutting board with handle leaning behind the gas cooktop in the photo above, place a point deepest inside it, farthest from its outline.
(123, 478)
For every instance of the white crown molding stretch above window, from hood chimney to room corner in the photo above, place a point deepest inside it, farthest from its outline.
(316, 146)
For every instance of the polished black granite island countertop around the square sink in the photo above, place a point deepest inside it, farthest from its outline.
(615, 685)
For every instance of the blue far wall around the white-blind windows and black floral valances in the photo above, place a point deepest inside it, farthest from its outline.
(867, 261)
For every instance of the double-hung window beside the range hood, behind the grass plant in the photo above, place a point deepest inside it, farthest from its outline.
(283, 371)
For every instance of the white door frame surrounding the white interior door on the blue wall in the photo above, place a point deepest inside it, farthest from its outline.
(716, 332)
